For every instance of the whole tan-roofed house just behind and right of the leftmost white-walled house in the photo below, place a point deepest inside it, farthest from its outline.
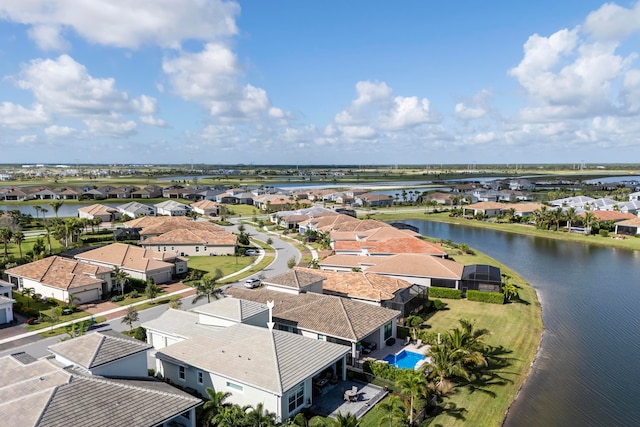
(137, 262)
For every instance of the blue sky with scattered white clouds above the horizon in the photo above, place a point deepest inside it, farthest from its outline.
(331, 82)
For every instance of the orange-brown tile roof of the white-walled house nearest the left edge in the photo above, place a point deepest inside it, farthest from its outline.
(61, 273)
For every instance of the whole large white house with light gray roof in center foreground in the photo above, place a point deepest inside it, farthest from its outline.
(255, 364)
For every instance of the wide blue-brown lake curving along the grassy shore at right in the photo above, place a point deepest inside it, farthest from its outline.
(587, 371)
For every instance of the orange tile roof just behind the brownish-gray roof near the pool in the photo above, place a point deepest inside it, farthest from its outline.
(369, 286)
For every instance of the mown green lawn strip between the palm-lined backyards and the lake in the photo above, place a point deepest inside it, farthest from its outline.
(516, 326)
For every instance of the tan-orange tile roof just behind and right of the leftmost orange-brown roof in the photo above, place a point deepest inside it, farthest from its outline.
(128, 257)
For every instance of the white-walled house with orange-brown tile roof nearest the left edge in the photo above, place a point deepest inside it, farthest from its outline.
(57, 277)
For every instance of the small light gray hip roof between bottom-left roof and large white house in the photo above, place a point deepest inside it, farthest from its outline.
(98, 348)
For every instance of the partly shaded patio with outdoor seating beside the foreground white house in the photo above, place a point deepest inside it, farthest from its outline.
(331, 401)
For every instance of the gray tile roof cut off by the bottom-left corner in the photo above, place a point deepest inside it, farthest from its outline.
(43, 393)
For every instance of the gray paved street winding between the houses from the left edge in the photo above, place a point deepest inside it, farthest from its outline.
(37, 346)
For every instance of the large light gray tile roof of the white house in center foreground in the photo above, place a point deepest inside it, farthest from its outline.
(270, 360)
